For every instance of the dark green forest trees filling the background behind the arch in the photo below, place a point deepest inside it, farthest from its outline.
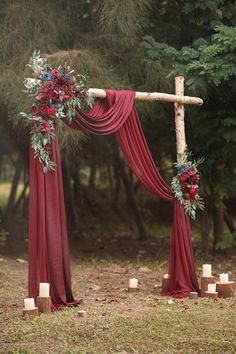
(134, 44)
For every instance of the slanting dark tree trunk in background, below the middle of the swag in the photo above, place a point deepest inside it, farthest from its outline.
(129, 190)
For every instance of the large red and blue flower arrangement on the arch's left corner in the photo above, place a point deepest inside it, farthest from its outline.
(56, 95)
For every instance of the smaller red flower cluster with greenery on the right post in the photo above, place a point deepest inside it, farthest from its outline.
(185, 184)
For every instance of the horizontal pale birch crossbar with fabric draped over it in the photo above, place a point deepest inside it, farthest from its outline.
(153, 96)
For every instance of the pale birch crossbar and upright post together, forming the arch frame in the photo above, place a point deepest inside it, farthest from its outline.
(179, 99)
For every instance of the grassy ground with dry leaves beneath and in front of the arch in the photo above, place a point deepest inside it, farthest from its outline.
(117, 322)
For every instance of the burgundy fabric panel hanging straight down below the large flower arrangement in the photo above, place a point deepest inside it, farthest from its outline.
(48, 245)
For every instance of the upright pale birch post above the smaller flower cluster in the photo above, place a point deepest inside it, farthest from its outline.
(179, 116)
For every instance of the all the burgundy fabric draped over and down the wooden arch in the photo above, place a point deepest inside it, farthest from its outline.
(48, 245)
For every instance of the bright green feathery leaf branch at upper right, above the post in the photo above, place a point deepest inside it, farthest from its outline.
(205, 63)
